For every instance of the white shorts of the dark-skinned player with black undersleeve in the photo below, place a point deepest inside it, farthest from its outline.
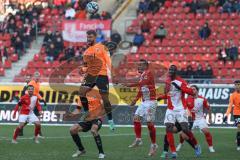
(173, 116)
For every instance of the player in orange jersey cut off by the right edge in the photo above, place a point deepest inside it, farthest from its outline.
(234, 103)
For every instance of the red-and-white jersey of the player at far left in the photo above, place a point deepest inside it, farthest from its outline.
(27, 104)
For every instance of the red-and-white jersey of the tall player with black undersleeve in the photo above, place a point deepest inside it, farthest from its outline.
(175, 91)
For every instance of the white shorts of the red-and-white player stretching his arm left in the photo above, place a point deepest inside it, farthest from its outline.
(147, 110)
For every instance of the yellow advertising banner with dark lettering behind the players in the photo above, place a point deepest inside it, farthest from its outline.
(68, 93)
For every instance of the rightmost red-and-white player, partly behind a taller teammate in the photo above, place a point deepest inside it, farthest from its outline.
(196, 105)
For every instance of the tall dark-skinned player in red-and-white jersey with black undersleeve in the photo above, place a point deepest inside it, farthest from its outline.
(175, 91)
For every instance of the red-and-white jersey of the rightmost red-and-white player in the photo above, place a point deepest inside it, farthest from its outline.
(197, 106)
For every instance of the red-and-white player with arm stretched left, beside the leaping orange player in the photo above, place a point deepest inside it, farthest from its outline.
(146, 110)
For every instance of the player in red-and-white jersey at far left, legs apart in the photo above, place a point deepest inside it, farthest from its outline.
(27, 104)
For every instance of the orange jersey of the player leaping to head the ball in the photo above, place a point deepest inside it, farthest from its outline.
(97, 60)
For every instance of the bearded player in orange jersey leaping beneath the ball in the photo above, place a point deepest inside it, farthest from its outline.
(96, 62)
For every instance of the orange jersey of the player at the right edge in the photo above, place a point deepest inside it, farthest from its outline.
(234, 103)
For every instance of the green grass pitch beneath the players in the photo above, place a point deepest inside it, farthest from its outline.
(58, 145)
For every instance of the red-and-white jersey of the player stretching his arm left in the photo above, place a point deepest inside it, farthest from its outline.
(146, 86)
